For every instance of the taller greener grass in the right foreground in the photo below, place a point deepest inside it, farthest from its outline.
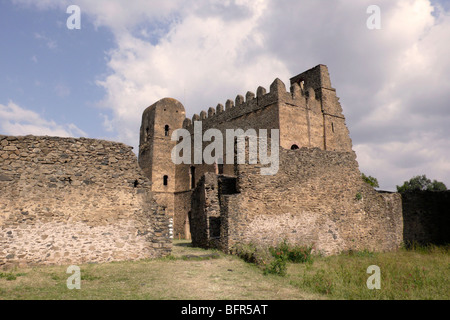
(420, 274)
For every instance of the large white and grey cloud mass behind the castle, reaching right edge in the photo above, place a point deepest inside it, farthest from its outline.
(394, 83)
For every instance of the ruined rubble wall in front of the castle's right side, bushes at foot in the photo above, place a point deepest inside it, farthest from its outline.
(317, 197)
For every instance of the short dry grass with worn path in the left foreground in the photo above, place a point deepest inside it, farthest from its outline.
(218, 277)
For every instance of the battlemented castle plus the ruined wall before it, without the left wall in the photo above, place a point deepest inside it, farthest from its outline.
(317, 197)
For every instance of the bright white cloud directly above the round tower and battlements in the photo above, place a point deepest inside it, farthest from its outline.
(201, 61)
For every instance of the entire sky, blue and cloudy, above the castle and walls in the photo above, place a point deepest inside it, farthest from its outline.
(393, 82)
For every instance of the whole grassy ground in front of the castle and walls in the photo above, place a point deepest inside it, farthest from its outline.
(197, 274)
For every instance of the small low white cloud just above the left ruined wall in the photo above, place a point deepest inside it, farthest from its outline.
(18, 121)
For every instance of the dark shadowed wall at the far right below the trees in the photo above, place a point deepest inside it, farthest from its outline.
(426, 217)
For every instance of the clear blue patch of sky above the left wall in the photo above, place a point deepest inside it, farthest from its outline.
(50, 69)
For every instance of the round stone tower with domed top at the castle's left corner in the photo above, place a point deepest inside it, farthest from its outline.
(155, 147)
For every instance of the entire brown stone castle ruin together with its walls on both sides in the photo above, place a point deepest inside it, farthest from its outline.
(66, 200)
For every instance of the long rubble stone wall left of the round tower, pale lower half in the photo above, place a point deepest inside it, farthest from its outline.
(65, 200)
